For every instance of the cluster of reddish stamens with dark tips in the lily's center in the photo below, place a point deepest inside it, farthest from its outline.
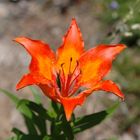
(68, 81)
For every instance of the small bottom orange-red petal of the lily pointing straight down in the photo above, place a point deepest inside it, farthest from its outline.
(69, 104)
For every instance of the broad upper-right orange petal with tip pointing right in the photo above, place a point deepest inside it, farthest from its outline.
(97, 62)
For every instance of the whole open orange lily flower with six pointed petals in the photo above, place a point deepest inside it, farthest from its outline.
(72, 74)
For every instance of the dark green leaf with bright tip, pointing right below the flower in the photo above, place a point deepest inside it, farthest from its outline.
(91, 120)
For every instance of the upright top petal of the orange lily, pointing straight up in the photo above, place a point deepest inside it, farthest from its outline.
(72, 47)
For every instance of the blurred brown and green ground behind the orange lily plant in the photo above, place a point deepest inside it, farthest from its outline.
(100, 21)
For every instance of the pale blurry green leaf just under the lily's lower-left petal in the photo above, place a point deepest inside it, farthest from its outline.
(36, 94)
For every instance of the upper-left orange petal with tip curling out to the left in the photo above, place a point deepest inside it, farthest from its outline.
(42, 57)
